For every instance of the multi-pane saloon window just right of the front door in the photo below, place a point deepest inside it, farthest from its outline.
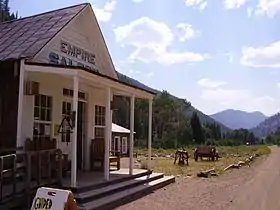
(99, 128)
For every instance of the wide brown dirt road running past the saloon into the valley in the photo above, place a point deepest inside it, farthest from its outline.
(257, 187)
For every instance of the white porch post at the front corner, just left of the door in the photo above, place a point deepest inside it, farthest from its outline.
(74, 134)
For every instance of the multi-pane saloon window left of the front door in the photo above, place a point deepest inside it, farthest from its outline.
(42, 117)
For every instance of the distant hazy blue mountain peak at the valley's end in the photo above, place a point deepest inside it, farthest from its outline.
(236, 119)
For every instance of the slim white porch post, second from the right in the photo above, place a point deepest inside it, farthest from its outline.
(131, 141)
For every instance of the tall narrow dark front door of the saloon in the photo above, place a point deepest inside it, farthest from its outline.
(81, 135)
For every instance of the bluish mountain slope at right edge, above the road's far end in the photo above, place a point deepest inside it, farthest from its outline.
(268, 126)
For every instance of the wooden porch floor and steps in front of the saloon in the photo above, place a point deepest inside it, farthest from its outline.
(94, 194)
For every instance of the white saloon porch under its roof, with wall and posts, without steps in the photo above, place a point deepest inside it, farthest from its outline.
(77, 143)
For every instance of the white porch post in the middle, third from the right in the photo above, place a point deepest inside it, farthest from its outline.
(108, 134)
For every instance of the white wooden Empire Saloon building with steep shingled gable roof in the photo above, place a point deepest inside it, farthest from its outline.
(56, 66)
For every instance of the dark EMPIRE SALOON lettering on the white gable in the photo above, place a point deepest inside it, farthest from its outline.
(69, 51)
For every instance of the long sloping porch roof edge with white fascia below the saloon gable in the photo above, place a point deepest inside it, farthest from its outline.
(90, 75)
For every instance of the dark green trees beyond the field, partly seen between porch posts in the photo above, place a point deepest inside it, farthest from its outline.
(172, 127)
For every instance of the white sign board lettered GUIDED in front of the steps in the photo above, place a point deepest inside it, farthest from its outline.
(50, 199)
